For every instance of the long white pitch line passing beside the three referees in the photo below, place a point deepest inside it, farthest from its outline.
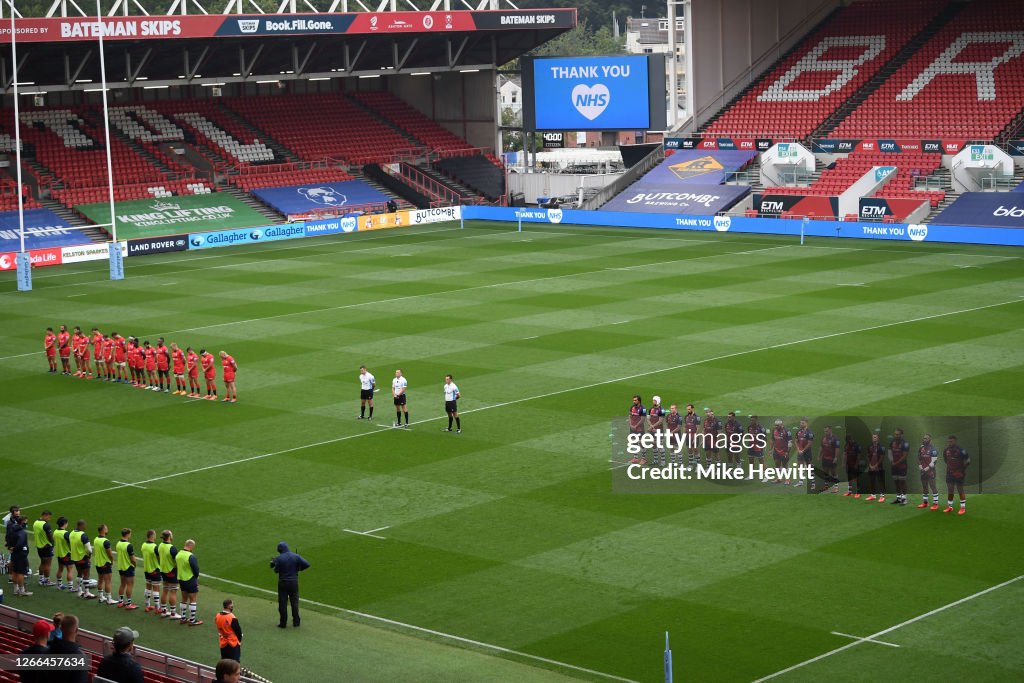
(559, 393)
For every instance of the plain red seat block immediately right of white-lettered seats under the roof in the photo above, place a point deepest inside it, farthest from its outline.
(324, 126)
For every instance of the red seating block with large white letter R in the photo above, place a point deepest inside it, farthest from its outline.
(966, 83)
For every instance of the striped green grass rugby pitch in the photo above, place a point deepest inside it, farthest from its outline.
(504, 546)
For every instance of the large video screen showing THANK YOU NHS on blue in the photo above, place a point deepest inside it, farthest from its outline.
(590, 94)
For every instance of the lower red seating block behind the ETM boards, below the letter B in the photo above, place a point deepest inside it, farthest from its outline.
(836, 181)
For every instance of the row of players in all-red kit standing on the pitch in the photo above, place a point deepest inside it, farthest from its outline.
(129, 361)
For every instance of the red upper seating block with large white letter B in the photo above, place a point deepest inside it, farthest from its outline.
(776, 108)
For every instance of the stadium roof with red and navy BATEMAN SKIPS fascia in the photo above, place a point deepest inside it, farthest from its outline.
(59, 54)
